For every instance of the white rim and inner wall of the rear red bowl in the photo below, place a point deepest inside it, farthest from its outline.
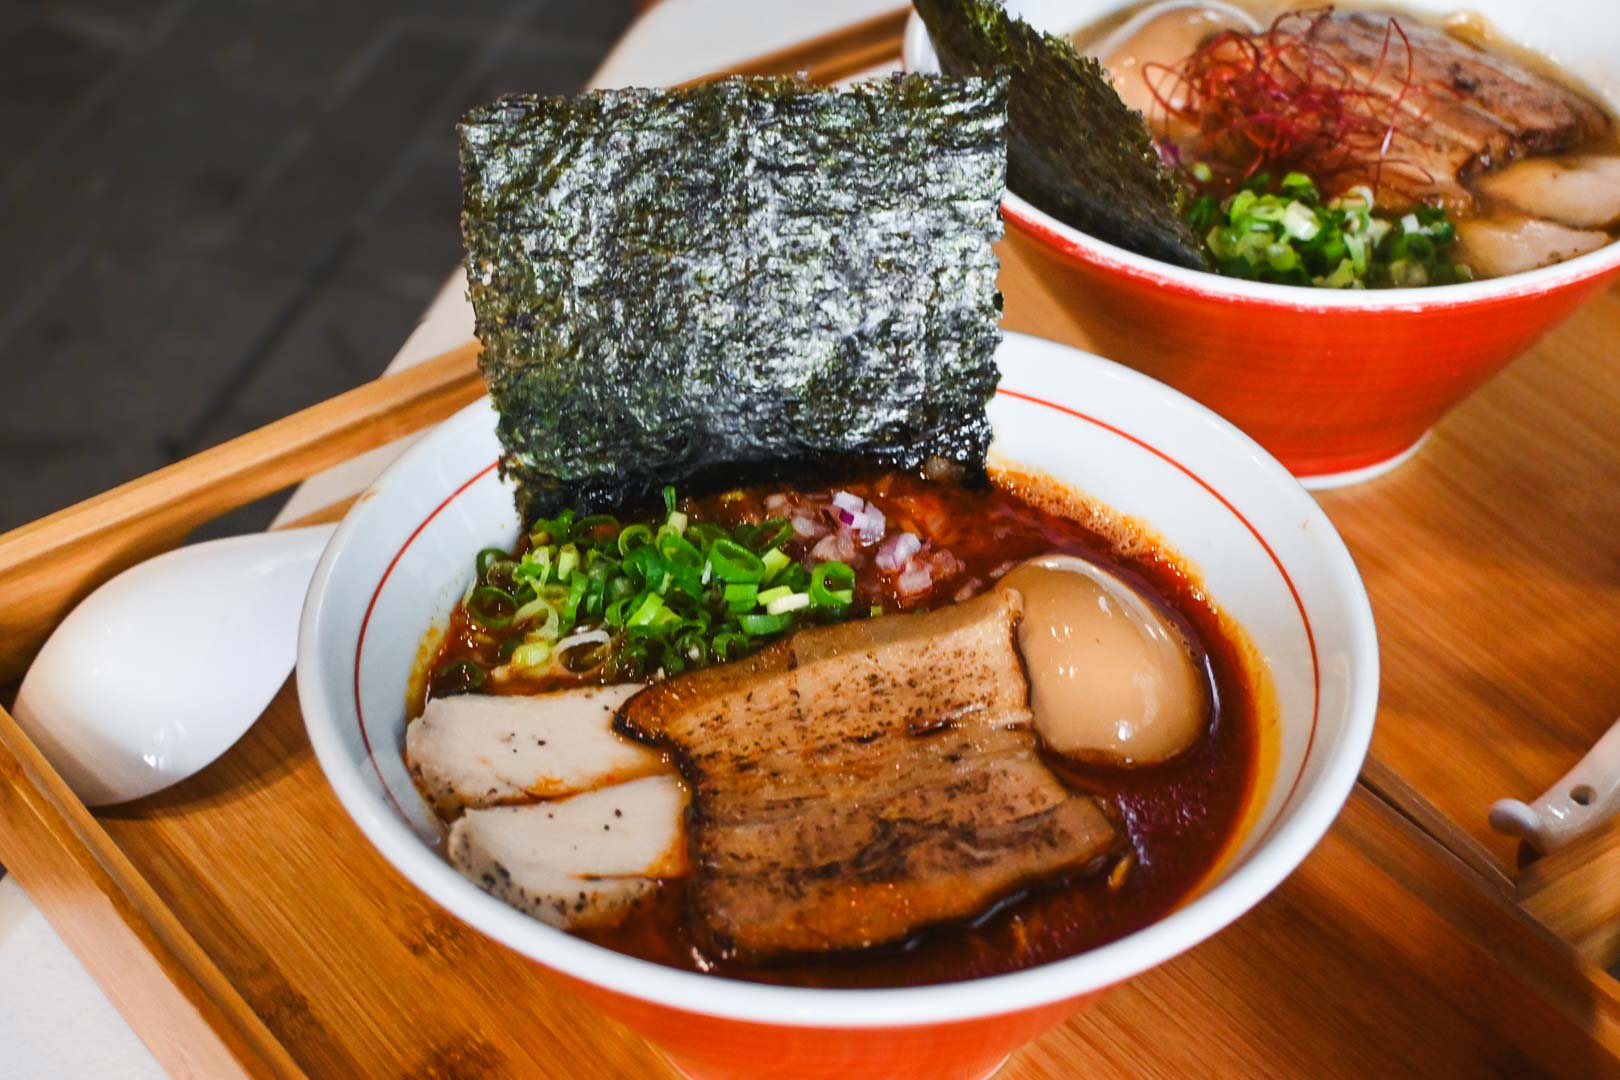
(1580, 36)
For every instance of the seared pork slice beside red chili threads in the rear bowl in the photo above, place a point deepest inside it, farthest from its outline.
(1465, 111)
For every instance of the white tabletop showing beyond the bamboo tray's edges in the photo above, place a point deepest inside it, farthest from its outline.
(54, 1021)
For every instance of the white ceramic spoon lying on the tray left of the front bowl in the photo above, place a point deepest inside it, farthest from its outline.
(163, 670)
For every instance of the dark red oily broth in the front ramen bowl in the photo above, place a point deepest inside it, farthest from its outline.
(1180, 817)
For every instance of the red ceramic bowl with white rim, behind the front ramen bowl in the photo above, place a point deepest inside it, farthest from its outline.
(1341, 386)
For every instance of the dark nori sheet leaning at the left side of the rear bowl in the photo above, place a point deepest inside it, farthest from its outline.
(1075, 150)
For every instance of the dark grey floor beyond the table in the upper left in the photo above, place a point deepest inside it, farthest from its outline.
(215, 213)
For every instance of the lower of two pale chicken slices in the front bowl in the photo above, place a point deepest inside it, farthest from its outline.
(578, 862)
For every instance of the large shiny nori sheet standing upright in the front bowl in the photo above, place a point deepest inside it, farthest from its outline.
(740, 274)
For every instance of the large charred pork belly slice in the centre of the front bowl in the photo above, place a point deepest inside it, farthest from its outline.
(859, 783)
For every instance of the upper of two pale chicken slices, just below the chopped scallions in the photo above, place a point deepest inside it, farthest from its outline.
(477, 750)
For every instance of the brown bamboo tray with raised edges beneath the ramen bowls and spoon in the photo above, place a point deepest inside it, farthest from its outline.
(244, 925)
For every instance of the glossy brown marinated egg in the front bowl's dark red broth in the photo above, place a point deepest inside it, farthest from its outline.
(1111, 676)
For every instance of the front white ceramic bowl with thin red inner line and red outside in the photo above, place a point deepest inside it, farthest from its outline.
(1268, 556)
